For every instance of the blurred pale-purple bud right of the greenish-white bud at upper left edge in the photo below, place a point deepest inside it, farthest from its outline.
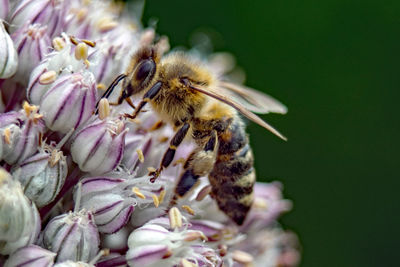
(32, 43)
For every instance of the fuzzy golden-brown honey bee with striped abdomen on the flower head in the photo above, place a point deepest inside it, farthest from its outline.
(188, 96)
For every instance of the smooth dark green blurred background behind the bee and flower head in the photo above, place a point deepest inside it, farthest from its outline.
(335, 64)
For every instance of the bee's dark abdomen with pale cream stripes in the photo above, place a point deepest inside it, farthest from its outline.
(233, 176)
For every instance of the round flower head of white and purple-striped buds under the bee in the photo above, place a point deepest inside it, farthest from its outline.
(74, 184)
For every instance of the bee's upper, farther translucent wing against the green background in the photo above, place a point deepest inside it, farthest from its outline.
(251, 99)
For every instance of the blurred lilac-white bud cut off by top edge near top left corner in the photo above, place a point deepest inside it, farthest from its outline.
(45, 12)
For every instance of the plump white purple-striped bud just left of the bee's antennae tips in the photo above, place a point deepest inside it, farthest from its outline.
(69, 102)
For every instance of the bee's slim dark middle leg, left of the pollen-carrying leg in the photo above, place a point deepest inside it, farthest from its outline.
(170, 153)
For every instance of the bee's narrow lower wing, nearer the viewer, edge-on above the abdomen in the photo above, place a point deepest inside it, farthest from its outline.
(214, 93)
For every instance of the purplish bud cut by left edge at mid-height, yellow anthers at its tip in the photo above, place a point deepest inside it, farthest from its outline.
(20, 132)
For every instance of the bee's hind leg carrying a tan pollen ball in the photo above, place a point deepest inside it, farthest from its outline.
(199, 163)
